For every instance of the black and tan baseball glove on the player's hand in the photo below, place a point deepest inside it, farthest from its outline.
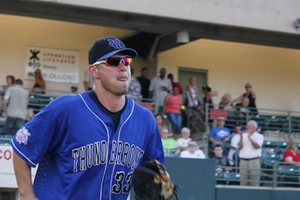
(152, 182)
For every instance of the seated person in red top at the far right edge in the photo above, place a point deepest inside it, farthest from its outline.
(291, 155)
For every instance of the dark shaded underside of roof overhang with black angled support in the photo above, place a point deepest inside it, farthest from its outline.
(152, 34)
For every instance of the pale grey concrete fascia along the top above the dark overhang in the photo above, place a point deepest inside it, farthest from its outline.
(272, 15)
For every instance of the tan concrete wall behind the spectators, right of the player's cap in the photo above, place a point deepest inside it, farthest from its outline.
(273, 72)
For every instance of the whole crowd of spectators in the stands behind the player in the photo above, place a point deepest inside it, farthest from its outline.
(233, 139)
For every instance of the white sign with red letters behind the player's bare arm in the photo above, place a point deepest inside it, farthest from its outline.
(7, 173)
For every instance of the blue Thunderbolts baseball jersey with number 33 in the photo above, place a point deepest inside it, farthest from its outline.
(79, 153)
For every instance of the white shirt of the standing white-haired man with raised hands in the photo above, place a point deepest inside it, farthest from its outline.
(248, 150)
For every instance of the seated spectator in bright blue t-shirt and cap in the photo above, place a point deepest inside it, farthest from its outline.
(219, 134)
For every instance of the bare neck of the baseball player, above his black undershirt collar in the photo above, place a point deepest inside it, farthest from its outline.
(110, 101)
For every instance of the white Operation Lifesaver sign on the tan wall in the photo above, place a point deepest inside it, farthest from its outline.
(56, 65)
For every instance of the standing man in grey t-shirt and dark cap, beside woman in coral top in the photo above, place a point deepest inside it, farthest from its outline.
(159, 88)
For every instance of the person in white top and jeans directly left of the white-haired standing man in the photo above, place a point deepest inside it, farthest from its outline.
(235, 138)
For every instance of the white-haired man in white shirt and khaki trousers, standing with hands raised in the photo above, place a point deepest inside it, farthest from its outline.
(250, 148)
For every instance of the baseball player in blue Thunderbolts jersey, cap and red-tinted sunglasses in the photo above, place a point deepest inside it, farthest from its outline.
(86, 146)
